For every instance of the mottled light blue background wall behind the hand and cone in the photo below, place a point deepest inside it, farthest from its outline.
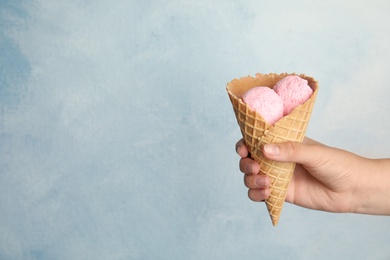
(117, 136)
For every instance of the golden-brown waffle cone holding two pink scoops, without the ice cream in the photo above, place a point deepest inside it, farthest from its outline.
(257, 132)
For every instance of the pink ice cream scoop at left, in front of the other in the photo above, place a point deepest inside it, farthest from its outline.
(265, 102)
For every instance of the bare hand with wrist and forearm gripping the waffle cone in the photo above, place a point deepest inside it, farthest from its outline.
(325, 178)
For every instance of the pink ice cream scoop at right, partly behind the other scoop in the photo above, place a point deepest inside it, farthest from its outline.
(294, 91)
